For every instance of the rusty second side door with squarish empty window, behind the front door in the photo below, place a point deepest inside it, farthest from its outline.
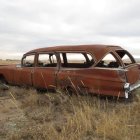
(45, 73)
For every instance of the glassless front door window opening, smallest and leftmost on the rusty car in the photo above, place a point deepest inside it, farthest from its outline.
(28, 61)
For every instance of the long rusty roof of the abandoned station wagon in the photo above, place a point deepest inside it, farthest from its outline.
(97, 50)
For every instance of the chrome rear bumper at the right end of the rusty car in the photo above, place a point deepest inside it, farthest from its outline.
(129, 88)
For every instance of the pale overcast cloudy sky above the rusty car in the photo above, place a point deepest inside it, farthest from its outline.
(29, 24)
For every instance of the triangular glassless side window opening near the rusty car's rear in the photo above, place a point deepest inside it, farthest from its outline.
(109, 61)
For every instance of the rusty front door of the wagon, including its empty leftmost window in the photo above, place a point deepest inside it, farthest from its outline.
(23, 74)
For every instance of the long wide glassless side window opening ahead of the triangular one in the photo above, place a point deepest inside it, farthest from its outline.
(76, 60)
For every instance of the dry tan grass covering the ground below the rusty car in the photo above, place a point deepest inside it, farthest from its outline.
(57, 116)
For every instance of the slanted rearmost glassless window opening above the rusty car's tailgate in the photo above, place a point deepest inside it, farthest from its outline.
(126, 58)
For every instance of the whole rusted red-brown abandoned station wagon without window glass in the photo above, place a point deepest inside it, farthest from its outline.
(97, 69)
